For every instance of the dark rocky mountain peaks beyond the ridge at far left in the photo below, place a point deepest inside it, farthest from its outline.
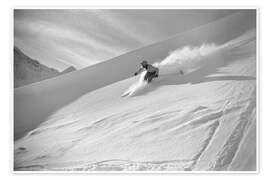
(27, 70)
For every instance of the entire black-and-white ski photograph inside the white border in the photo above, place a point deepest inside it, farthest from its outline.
(135, 90)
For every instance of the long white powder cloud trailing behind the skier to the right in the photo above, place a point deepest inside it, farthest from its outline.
(190, 58)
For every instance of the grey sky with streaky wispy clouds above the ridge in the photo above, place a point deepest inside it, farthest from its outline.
(60, 38)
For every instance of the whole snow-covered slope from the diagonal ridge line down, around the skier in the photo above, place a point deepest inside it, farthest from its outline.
(204, 120)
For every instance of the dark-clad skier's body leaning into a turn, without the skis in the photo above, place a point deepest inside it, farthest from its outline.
(151, 73)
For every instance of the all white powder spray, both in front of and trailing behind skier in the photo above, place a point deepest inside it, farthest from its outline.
(191, 58)
